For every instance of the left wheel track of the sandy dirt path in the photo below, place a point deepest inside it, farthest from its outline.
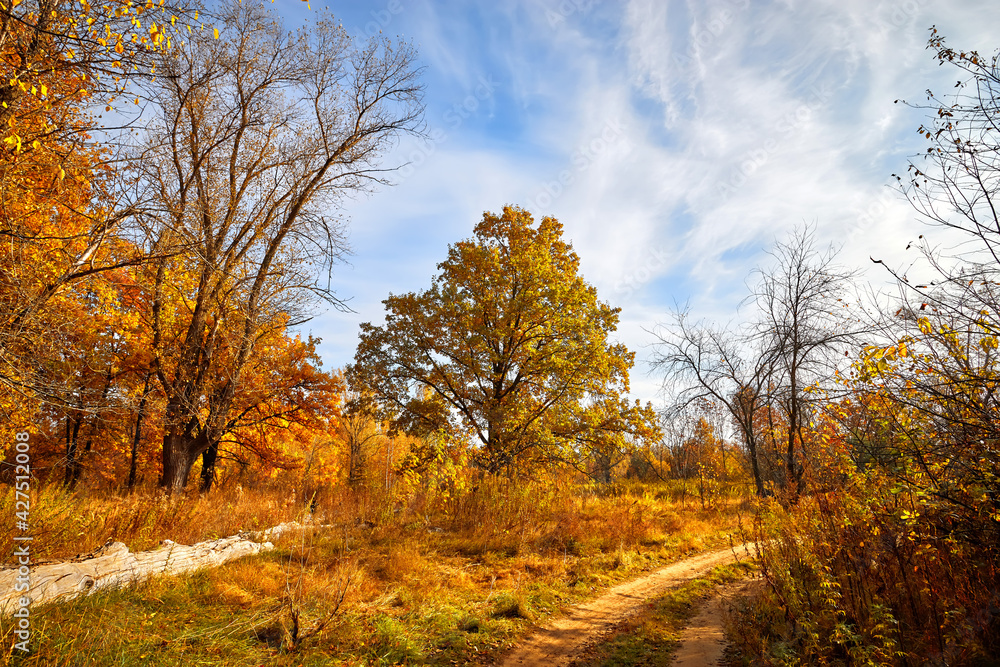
(562, 641)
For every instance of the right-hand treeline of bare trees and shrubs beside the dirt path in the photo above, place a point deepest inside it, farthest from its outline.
(871, 424)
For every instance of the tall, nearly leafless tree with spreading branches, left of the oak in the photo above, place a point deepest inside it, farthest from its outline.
(257, 135)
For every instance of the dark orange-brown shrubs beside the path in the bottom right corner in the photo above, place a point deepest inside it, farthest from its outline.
(889, 559)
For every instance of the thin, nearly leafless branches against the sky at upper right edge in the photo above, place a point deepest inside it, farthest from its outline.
(955, 185)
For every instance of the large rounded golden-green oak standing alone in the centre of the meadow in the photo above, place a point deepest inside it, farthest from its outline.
(517, 346)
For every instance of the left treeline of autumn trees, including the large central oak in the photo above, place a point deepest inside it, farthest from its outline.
(170, 195)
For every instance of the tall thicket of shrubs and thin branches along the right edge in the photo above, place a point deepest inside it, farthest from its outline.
(891, 557)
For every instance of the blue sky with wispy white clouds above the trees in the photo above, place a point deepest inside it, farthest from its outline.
(674, 140)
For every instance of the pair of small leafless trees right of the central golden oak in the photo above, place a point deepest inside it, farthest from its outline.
(771, 360)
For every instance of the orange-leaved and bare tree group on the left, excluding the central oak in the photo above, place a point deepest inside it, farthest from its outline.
(169, 187)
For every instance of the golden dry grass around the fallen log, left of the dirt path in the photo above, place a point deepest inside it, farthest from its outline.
(424, 577)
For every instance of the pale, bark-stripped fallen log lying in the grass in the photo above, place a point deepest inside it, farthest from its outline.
(114, 566)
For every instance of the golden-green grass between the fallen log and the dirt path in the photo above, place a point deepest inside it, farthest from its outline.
(453, 595)
